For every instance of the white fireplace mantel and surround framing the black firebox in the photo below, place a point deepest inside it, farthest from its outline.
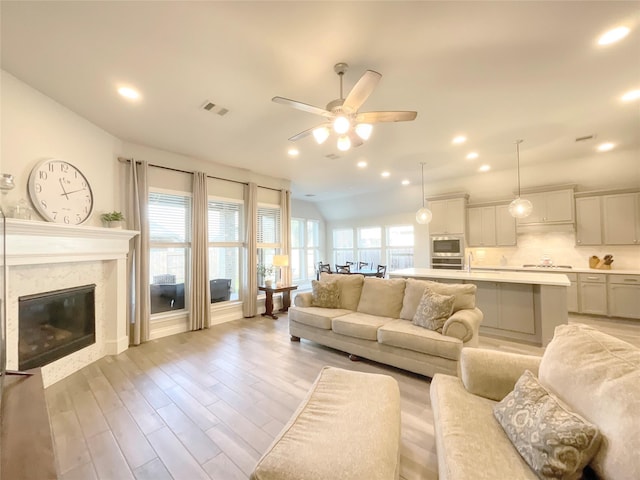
(42, 255)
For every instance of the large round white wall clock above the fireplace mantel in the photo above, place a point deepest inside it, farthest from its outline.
(60, 192)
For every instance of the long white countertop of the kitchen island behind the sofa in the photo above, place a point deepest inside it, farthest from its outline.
(532, 278)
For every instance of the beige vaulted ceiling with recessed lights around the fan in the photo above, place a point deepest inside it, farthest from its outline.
(494, 71)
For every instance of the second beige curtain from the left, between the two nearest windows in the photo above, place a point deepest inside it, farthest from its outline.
(199, 291)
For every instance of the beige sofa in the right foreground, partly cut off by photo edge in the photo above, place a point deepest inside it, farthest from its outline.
(596, 376)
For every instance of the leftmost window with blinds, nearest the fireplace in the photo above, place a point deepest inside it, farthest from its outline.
(170, 243)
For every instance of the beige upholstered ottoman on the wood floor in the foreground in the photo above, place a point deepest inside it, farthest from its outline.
(348, 427)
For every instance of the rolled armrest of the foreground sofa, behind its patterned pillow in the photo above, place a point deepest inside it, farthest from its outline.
(493, 374)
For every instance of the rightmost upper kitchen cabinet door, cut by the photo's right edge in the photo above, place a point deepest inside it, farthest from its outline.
(621, 219)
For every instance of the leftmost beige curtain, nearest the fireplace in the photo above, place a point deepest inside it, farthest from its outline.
(138, 259)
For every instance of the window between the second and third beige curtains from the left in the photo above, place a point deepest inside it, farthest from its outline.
(225, 248)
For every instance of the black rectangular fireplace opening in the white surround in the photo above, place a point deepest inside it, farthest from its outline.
(55, 324)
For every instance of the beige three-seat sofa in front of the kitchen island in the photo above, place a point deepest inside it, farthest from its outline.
(374, 321)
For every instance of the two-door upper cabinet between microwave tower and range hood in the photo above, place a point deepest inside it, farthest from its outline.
(491, 226)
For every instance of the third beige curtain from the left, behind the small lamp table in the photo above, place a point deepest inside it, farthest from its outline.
(250, 281)
